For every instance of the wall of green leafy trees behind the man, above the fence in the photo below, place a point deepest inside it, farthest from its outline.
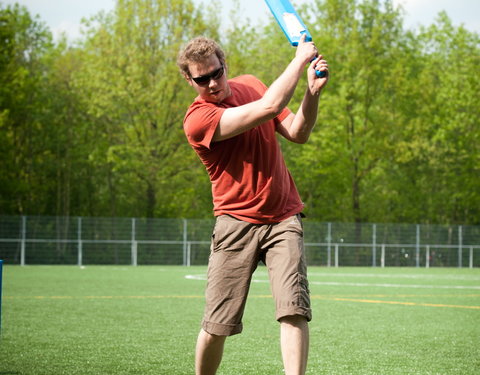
(95, 127)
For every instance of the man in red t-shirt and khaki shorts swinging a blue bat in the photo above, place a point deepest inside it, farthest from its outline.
(232, 126)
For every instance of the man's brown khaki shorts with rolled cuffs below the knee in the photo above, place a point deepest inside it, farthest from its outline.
(237, 248)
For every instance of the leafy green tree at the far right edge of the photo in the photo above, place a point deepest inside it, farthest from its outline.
(438, 158)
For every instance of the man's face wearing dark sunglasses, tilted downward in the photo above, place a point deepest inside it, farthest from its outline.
(209, 79)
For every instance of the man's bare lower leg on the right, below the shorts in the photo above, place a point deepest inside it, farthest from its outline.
(294, 340)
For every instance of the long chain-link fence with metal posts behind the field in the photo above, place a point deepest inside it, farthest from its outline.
(140, 241)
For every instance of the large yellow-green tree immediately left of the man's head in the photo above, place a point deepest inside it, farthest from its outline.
(136, 99)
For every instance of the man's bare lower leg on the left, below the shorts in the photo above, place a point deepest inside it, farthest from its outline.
(209, 353)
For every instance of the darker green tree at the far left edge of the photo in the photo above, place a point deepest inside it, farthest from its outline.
(24, 47)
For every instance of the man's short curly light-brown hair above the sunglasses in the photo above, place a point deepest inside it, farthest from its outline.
(198, 50)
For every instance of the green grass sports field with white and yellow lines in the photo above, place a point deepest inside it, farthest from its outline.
(144, 320)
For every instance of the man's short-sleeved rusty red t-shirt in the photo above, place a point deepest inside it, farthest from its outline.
(250, 180)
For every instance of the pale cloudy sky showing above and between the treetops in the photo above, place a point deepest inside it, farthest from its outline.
(65, 15)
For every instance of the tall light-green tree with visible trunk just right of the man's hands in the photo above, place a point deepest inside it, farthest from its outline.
(356, 122)
